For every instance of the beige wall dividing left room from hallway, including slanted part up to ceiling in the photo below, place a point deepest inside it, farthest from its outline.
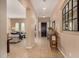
(31, 21)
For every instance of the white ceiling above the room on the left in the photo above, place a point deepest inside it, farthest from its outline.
(15, 9)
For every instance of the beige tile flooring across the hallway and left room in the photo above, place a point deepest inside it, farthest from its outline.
(40, 50)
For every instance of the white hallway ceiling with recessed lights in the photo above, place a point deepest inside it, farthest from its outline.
(38, 6)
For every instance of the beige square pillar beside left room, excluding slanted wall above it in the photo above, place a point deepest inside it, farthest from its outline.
(30, 28)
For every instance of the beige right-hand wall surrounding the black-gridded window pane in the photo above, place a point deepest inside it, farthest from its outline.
(68, 43)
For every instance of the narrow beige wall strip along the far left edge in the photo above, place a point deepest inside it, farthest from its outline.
(3, 29)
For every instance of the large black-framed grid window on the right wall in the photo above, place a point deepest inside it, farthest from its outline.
(70, 16)
